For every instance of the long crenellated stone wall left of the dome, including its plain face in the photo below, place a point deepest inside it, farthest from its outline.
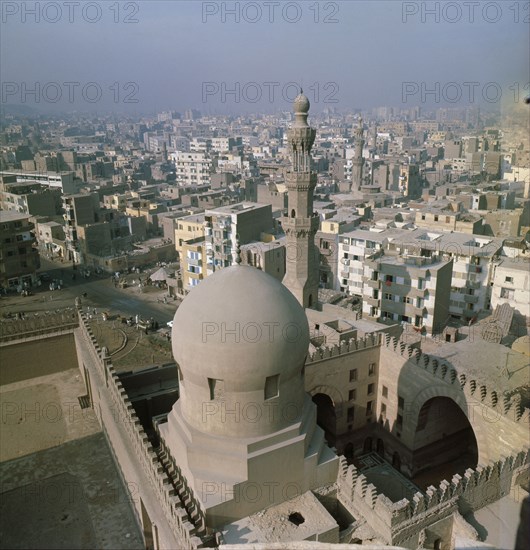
(141, 466)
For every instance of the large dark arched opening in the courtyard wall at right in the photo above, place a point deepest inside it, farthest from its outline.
(444, 442)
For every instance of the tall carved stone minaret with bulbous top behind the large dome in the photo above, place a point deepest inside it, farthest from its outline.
(301, 224)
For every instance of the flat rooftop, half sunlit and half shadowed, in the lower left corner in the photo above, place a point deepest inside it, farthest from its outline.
(59, 485)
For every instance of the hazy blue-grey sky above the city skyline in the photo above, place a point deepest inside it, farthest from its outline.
(181, 54)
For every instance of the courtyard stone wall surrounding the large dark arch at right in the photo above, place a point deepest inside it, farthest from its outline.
(416, 377)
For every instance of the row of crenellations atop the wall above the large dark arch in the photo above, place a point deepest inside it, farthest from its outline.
(473, 390)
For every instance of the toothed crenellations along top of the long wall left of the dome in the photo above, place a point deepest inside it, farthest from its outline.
(181, 509)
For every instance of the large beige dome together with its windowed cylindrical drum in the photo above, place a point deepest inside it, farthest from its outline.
(240, 339)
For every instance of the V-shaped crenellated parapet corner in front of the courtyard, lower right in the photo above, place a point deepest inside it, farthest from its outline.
(396, 521)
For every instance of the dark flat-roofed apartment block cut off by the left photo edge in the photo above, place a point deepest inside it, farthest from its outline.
(19, 259)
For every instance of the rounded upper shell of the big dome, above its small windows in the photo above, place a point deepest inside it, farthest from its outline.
(240, 324)
